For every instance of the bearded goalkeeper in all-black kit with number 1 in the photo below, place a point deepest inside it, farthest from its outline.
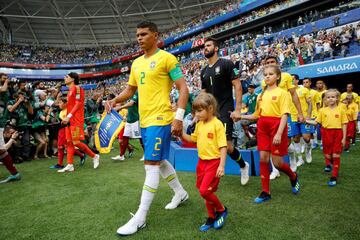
(218, 78)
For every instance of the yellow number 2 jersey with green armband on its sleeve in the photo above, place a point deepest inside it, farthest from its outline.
(154, 77)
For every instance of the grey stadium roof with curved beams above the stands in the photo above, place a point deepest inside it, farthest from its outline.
(80, 23)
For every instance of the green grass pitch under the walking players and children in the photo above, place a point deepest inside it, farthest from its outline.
(92, 204)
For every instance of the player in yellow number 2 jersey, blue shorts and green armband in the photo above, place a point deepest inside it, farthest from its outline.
(153, 75)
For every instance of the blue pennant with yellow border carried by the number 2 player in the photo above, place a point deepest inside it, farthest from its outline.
(107, 131)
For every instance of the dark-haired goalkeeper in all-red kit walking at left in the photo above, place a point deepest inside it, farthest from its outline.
(75, 116)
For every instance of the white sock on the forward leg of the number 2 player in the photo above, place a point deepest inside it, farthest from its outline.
(151, 184)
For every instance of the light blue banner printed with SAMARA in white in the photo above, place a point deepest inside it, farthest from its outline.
(328, 68)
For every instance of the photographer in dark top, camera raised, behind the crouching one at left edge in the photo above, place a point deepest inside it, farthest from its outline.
(19, 111)
